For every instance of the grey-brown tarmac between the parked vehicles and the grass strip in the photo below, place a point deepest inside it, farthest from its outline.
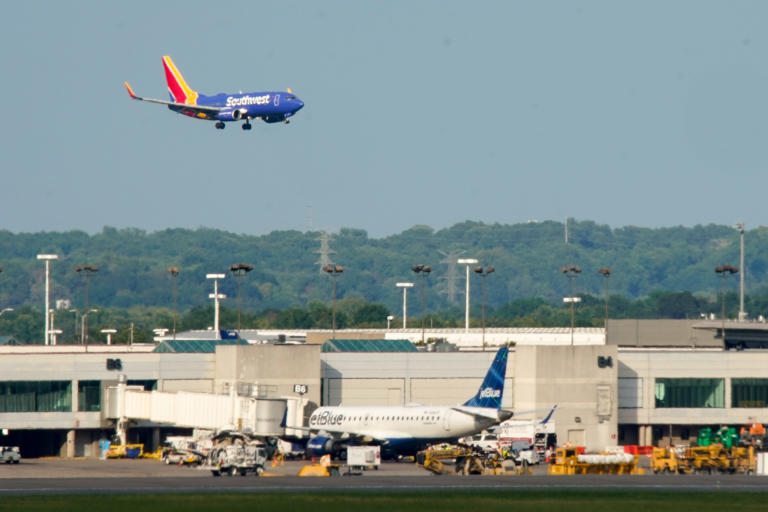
(126, 476)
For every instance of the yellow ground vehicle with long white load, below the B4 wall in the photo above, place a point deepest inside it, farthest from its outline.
(568, 461)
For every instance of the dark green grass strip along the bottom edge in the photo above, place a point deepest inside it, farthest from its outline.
(468, 501)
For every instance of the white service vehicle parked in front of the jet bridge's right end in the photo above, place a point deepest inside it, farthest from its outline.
(235, 453)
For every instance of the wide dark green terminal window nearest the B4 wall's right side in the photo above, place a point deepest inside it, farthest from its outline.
(690, 393)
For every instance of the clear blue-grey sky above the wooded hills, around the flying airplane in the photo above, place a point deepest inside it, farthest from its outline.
(431, 112)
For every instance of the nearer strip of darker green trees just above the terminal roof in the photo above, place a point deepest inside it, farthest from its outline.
(138, 324)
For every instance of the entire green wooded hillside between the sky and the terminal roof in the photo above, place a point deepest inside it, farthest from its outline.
(664, 273)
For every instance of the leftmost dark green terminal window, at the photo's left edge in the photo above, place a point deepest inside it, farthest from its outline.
(36, 396)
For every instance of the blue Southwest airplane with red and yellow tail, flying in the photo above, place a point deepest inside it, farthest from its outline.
(270, 106)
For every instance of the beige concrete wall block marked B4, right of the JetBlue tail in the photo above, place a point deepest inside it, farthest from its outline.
(570, 377)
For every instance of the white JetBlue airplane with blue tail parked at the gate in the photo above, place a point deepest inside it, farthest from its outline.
(404, 430)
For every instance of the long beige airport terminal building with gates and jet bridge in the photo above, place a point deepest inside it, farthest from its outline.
(639, 382)
